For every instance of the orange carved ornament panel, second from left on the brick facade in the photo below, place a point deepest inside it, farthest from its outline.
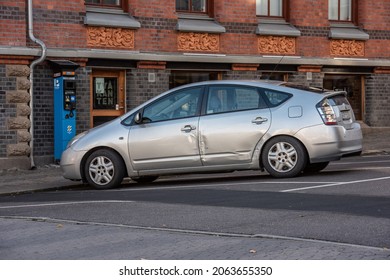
(198, 42)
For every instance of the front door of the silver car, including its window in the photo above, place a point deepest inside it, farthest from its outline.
(167, 135)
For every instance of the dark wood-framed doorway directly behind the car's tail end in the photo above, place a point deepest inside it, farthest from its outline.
(353, 85)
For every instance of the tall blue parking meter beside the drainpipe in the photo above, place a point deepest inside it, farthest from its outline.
(64, 109)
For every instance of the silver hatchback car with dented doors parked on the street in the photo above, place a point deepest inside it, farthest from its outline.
(282, 128)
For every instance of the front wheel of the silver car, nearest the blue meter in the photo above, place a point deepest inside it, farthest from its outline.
(104, 169)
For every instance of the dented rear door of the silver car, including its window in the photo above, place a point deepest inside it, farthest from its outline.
(235, 119)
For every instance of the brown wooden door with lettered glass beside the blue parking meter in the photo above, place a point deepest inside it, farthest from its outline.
(107, 96)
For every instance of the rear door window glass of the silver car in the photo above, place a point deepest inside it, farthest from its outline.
(232, 98)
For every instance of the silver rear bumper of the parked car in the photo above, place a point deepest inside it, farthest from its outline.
(327, 143)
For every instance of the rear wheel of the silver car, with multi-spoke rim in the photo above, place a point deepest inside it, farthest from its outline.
(284, 157)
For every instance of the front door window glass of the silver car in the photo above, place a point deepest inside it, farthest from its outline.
(180, 104)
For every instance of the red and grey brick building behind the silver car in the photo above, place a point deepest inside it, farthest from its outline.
(143, 47)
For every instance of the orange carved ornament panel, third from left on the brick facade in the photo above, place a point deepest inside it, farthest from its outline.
(276, 45)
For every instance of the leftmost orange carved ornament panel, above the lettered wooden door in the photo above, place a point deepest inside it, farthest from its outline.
(110, 37)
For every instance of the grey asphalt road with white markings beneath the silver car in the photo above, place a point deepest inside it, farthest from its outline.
(340, 213)
